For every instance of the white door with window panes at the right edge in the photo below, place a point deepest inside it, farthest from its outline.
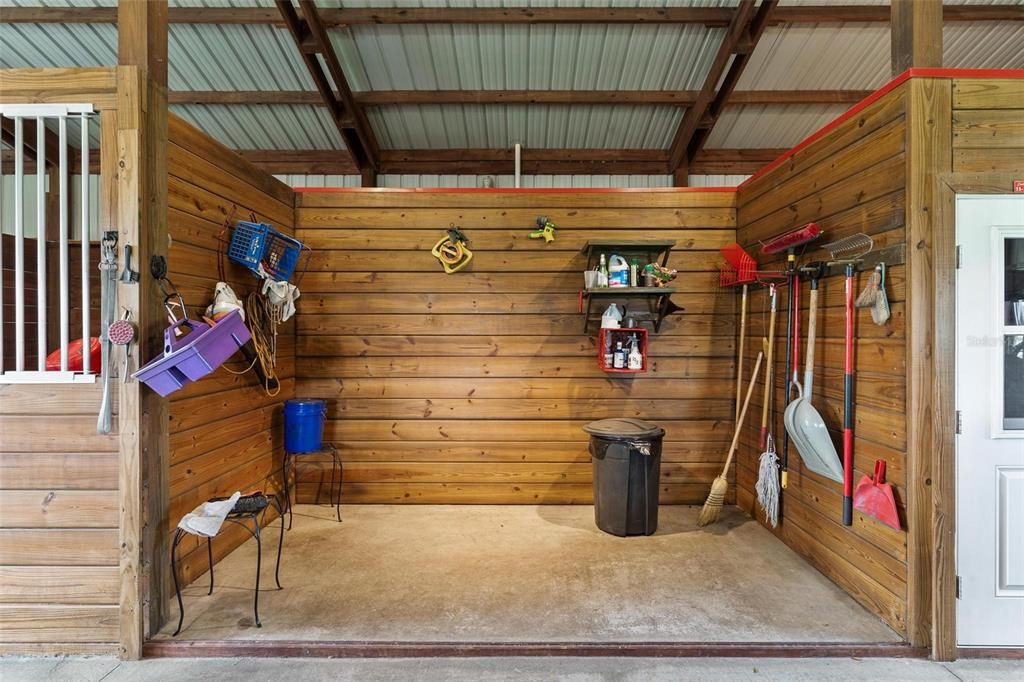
(991, 400)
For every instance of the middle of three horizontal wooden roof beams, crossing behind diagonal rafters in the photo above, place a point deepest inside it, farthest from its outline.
(390, 98)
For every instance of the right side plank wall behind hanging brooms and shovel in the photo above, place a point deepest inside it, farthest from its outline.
(850, 181)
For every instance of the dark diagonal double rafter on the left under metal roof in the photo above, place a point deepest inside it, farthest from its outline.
(314, 45)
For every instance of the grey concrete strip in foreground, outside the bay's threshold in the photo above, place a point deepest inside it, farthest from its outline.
(518, 670)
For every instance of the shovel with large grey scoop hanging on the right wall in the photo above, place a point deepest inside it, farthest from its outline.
(803, 422)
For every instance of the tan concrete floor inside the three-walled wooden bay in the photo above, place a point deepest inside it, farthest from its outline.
(493, 574)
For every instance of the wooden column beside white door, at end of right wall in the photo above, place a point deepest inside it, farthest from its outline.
(929, 156)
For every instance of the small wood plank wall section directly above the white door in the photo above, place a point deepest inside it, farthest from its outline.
(989, 126)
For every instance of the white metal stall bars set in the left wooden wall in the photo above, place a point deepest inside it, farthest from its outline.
(68, 371)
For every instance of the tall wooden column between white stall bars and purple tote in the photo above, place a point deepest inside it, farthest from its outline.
(142, 221)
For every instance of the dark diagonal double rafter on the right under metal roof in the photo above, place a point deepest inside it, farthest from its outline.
(748, 24)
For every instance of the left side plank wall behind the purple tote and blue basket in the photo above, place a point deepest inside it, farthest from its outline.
(226, 433)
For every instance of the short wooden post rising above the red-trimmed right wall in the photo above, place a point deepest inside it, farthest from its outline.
(917, 34)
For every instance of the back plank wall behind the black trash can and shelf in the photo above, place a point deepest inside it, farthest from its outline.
(474, 388)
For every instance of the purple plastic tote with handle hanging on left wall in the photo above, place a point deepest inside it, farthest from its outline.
(194, 355)
